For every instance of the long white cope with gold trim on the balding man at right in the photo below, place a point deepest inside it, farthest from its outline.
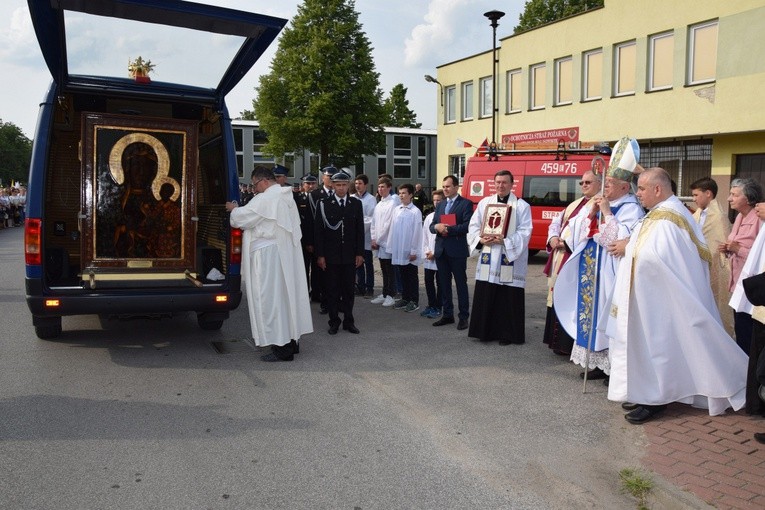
(667, 343)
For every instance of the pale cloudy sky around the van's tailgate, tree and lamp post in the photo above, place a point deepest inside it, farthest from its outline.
(410, 38)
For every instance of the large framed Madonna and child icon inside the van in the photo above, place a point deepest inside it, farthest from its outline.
(138, 182)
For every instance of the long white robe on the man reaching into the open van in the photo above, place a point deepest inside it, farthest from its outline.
(272, 267)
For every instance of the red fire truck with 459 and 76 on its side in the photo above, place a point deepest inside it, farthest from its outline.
(546, 178)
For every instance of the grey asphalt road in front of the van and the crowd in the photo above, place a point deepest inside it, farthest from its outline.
(159, 414)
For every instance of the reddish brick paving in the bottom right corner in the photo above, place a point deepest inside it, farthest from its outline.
(714, 457)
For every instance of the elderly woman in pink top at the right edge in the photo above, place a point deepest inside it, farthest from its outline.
(744, 195)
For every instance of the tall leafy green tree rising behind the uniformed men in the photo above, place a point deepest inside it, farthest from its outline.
(323, 92)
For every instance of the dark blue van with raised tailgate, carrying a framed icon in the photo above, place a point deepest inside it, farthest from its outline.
(129, 176)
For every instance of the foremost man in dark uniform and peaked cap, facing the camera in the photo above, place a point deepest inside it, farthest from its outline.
(339, 249)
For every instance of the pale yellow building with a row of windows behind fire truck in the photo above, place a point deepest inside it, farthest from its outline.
(683, 77)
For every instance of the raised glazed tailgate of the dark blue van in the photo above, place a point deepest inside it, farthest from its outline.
(88, 43)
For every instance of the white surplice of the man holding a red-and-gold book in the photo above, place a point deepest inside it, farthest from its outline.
(515, 249)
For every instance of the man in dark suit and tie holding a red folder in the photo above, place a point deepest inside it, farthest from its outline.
(451, 251)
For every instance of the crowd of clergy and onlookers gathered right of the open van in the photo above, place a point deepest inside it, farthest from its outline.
(642, 294)
